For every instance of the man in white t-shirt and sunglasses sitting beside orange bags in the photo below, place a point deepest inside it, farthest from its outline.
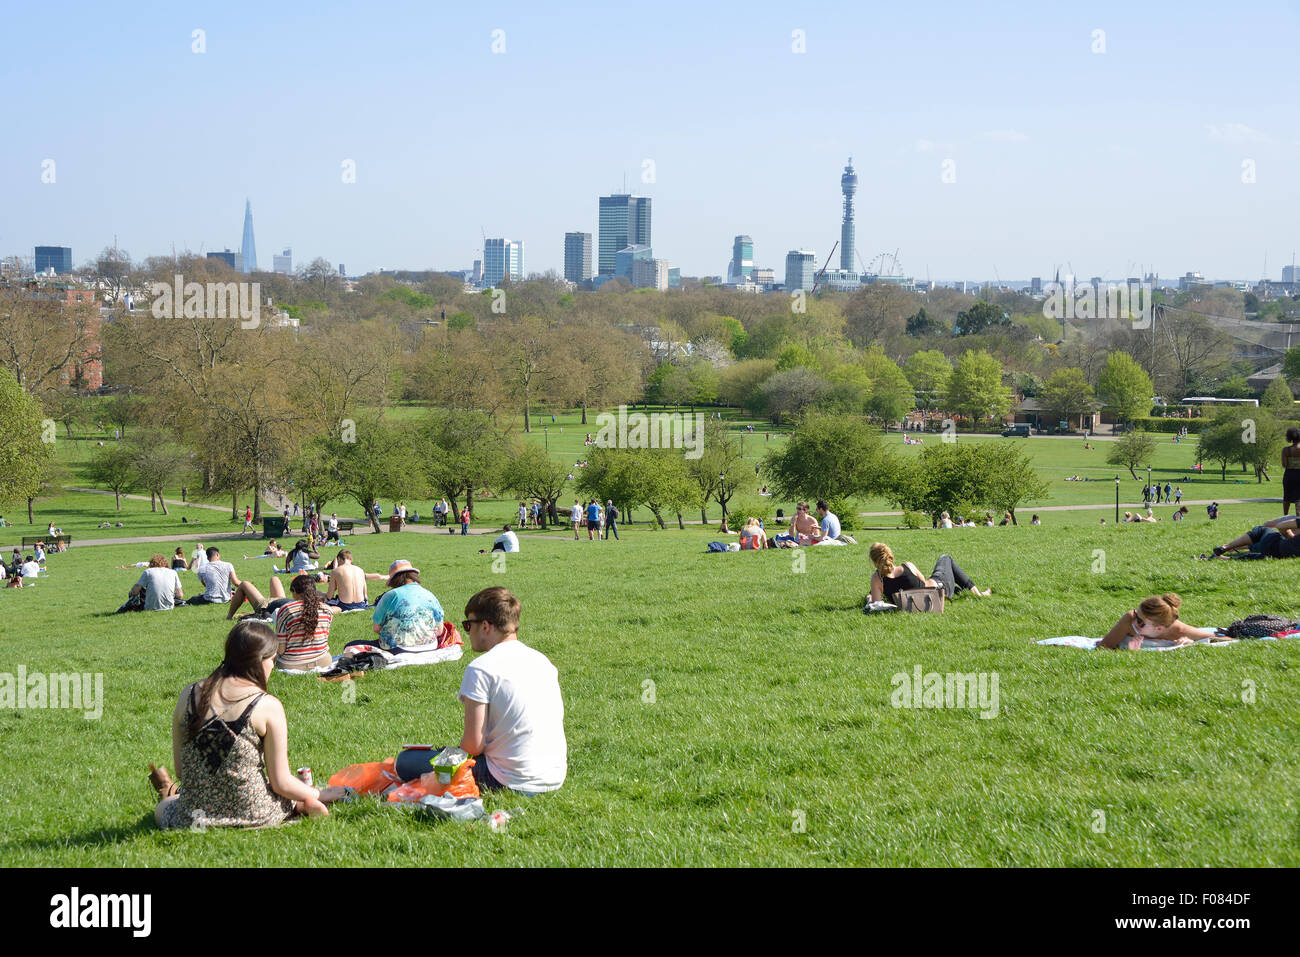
(514, 709)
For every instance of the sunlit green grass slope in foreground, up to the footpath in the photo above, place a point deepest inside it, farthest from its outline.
(770, 708)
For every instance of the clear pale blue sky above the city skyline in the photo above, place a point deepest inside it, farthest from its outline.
(1102, 161)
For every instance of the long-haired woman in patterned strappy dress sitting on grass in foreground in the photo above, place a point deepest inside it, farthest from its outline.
(224, 730)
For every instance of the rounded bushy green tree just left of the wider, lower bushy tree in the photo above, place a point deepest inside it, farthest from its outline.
(833, 457)
